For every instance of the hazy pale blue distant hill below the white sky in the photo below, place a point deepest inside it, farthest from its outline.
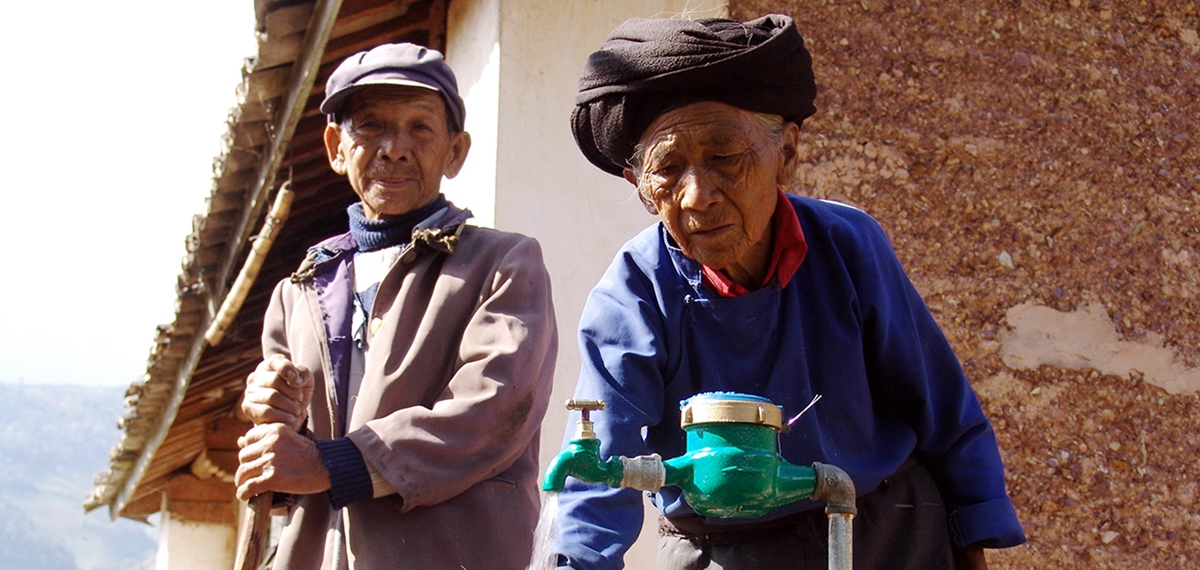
(53, 439)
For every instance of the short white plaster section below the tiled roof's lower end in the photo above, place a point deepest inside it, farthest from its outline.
(195, 545)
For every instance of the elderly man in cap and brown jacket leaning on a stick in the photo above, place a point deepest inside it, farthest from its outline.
(409, 363)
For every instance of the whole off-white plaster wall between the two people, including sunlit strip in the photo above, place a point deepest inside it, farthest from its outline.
(539, 182)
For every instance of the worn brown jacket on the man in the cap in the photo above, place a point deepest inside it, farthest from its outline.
(449, 416)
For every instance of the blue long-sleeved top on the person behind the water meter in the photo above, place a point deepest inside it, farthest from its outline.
(850, 327)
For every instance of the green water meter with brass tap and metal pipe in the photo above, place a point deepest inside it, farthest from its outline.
(731, 467)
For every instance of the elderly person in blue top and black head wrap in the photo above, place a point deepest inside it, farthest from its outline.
(745, 289)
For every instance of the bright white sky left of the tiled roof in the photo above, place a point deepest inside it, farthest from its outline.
(116, 111)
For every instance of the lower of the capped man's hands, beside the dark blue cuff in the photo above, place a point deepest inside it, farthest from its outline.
(275, 458)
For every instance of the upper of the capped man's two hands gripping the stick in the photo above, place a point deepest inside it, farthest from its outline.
(279, 392)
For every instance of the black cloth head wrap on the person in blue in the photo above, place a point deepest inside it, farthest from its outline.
(649, 67)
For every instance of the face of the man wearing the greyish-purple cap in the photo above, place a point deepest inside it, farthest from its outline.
(394, 146)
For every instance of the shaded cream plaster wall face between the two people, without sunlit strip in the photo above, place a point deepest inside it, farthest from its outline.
(545, 187)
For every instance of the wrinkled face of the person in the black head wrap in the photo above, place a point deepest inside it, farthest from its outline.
(710, 171)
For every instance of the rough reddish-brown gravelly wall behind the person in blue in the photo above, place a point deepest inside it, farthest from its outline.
(1040, 155)
